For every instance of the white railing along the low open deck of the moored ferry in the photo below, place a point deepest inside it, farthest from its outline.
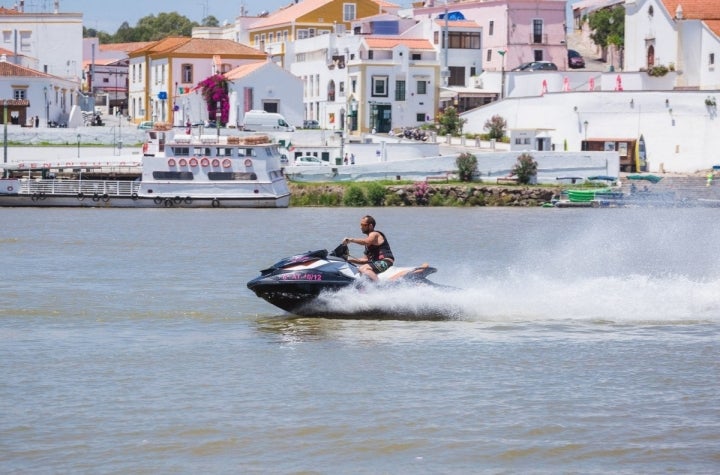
(74, 187)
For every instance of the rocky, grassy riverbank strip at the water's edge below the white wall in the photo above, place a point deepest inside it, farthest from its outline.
(392, 193)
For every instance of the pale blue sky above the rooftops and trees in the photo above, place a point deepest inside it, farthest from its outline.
(108, 15)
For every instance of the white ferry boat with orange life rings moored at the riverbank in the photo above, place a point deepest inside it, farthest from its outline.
(176, 171)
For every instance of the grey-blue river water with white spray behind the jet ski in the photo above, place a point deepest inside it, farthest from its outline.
(583, 341)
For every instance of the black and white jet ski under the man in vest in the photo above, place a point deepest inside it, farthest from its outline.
(295, 282)
